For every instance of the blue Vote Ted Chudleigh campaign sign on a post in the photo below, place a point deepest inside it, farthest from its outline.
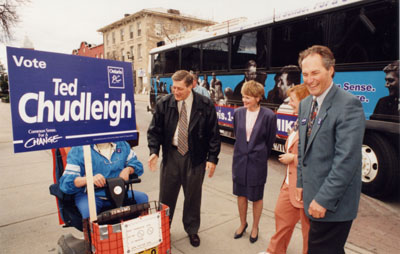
(60, 100)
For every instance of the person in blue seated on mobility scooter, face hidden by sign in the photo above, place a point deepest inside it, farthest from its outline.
(109, 160)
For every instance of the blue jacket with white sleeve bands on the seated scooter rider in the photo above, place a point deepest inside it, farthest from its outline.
(122, 157)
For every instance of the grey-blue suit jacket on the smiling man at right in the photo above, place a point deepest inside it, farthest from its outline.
(329, 168)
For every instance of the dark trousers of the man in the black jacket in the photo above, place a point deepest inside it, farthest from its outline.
(175, 173)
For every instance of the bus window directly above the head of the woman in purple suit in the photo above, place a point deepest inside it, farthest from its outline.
(249, 46)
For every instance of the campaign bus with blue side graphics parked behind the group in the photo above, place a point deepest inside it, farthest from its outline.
(364, 37)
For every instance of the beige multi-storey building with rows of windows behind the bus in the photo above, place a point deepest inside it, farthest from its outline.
(131, 38)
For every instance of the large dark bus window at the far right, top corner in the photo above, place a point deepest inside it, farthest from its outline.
(357, 32)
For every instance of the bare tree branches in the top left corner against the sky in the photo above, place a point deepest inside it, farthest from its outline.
(8, 17)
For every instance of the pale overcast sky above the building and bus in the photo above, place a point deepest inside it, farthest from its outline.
(61, 25)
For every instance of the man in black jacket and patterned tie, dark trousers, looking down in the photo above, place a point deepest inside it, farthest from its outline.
(185, 125)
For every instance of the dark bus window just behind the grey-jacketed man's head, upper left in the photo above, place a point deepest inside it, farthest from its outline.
(290, 39)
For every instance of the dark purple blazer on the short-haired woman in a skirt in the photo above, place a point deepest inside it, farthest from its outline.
(250, 159)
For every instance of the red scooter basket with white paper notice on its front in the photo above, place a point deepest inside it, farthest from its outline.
(107, 232)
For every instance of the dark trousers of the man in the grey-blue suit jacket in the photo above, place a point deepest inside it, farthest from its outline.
(328, 237)
